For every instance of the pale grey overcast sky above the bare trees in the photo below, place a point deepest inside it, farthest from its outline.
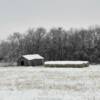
(19, 15)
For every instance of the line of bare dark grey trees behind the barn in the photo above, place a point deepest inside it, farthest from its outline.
(55, 44)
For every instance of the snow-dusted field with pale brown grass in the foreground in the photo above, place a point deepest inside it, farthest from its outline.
(39, 83)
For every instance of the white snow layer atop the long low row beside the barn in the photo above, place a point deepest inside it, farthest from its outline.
(66, 62)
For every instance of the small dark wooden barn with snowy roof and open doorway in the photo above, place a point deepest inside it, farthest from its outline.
(30, 60)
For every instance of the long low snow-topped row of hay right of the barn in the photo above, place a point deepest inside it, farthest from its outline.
(75, 64)
